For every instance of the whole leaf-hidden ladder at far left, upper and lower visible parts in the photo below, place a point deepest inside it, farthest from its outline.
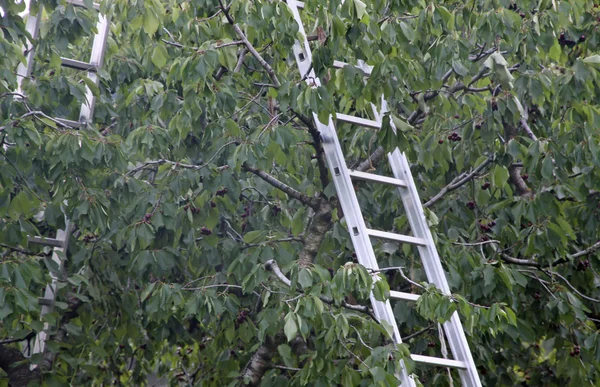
(61, 242)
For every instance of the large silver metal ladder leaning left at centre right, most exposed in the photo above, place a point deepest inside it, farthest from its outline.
(360, 234)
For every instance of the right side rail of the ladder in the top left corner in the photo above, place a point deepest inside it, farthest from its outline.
(96, 59)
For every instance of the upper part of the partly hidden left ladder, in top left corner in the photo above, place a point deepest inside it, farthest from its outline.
(96, 58)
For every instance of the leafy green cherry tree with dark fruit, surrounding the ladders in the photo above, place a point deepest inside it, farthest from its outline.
(208, 247)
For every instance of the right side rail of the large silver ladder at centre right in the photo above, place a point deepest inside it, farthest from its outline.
(433, 266)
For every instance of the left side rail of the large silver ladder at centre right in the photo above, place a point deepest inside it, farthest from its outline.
(343, 183)
